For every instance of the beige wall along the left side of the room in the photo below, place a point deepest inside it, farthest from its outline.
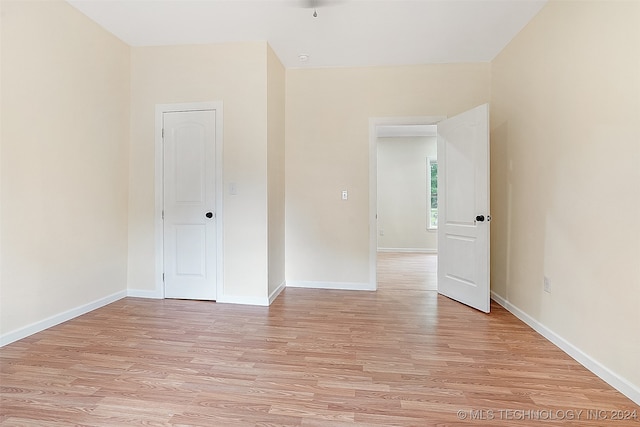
(65, 121)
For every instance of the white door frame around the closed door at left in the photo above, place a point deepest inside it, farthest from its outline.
(159, 192)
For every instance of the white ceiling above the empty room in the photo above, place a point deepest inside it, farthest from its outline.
(345, 32)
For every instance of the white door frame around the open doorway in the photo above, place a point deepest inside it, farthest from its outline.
(373, 181)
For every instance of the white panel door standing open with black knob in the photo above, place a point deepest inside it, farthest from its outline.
(463, 208)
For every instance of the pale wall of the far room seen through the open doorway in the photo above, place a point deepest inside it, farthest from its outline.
(402, 194)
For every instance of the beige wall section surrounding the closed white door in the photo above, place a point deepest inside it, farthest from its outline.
(235, 74)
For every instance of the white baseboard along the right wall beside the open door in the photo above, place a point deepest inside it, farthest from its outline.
(614, 380)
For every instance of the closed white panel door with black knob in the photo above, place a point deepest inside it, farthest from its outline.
(189, 205)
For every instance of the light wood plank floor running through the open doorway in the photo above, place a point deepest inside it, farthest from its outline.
(401, 356)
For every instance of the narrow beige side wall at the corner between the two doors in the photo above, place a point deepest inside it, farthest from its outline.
(275, 169)
